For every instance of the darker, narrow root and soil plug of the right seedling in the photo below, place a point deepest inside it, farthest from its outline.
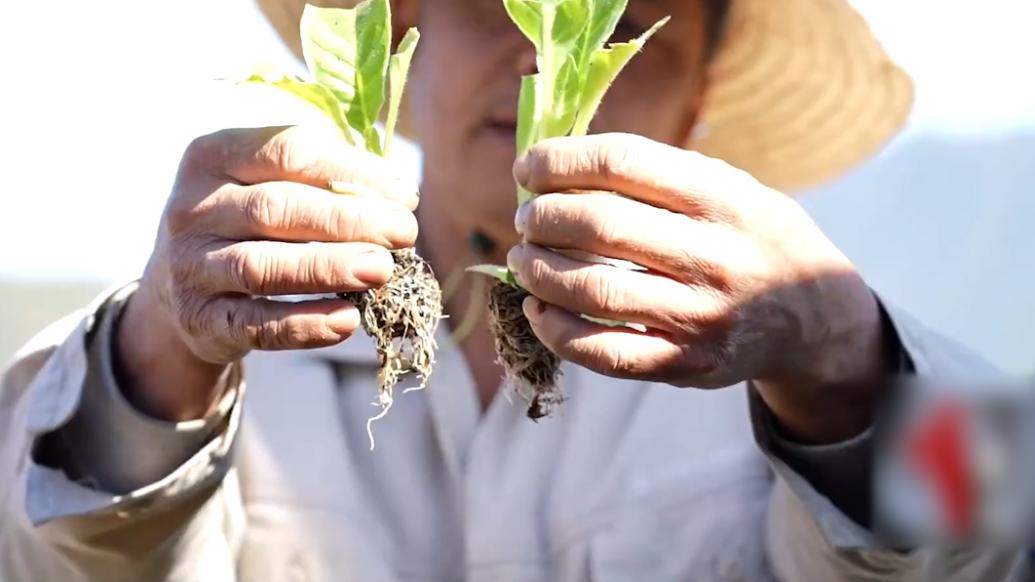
(531, 368)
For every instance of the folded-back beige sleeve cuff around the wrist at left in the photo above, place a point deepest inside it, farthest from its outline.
(110, 456)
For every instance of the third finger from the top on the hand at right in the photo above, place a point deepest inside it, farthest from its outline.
(607, 292)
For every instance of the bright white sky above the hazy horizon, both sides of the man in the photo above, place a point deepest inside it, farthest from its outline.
(102, 97)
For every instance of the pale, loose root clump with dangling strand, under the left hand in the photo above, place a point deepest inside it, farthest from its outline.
(402, 318)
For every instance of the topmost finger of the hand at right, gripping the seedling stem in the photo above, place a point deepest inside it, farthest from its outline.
(660, 174)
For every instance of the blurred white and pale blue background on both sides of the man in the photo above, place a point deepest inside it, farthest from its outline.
(103, 97)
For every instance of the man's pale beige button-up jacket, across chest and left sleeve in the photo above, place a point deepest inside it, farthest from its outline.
(629, 482)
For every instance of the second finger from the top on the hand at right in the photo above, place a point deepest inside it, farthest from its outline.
(619, 228)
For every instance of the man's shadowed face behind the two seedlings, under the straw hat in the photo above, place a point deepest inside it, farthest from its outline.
(463, 97)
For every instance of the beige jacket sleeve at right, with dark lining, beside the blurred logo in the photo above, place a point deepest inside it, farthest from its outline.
(811, 537)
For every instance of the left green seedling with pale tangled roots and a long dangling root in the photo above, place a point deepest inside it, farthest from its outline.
(348, 53)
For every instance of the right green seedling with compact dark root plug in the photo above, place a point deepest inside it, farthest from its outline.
(575, 69)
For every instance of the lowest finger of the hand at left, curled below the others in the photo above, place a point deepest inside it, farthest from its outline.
(241, 325)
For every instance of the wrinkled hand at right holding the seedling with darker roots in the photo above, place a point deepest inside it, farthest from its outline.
(740, 284)
